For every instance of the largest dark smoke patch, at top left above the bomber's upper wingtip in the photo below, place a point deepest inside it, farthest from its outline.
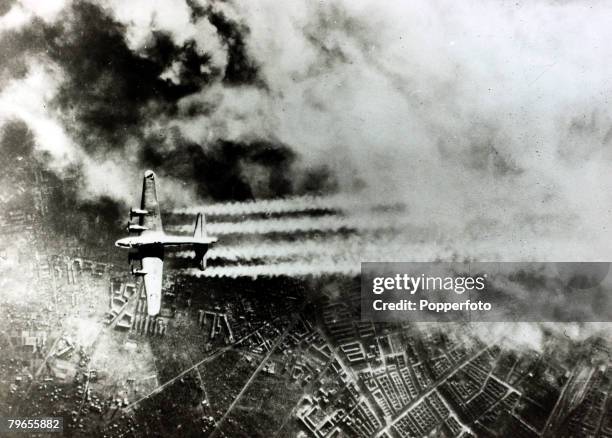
(108, 89)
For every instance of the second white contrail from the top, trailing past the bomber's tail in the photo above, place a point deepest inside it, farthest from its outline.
(287, 225)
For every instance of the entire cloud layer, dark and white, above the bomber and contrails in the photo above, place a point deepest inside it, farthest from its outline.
(488, 118)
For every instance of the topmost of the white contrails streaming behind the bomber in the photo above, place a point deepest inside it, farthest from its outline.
(285, 205)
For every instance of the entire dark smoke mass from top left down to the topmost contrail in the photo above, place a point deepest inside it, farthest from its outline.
(115, 101)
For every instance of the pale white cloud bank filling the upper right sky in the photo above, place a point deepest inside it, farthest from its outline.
(438, 102)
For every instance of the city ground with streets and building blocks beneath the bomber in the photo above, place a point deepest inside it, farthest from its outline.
(245, 350)
